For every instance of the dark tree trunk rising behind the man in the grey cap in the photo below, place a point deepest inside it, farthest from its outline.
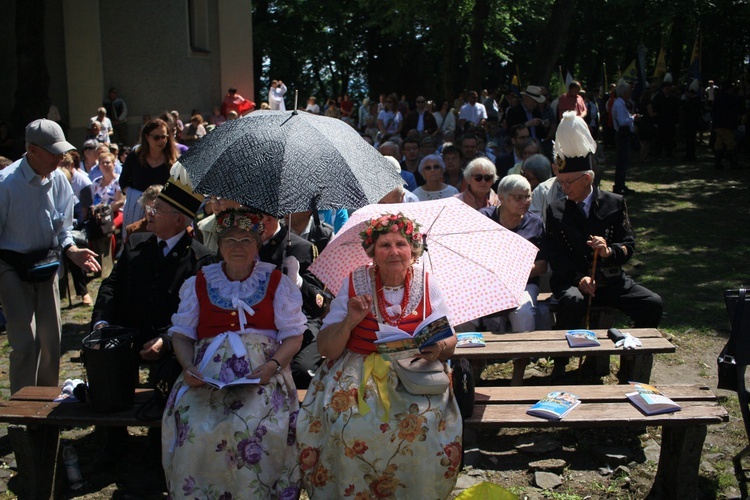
(32, 93)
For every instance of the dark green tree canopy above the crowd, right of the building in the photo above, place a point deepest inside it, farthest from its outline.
(439, 48)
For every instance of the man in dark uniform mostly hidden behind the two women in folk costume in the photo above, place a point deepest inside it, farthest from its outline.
(293, 255)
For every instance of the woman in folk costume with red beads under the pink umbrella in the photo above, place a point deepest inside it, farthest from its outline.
(361, 433)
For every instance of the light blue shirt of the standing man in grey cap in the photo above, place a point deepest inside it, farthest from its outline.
(35, 213)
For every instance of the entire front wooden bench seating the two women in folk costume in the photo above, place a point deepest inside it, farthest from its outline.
(35, 423)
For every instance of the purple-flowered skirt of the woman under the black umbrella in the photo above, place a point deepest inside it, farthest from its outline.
(236, 442)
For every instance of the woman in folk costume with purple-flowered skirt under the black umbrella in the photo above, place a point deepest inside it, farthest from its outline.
(238, 319)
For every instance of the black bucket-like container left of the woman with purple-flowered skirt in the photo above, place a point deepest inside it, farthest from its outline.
(108, 358)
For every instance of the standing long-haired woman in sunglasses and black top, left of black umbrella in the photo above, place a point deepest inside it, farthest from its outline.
(149, 165)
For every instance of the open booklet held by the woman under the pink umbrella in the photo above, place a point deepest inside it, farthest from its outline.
(394, 343)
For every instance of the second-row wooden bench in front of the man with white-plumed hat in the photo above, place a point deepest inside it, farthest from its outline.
(635, 364)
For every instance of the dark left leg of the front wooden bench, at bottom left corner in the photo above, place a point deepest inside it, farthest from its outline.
(36, 450)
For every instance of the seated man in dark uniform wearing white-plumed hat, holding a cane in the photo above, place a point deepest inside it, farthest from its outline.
(589, 220)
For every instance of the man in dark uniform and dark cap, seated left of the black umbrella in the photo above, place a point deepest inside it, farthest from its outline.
(142, 292)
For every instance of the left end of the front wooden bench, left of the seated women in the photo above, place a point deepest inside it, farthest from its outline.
(34, 428)
